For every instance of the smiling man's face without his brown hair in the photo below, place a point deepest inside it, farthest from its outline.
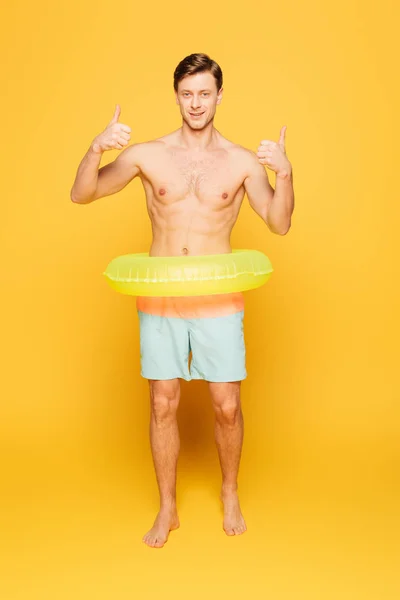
(198, 97)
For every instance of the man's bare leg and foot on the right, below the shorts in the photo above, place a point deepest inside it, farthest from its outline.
(229, 431)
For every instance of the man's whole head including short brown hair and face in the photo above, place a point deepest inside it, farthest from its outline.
(198, 89)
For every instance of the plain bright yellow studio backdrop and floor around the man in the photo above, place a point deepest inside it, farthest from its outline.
(319, 478)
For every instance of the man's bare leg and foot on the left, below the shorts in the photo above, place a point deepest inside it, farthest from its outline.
(165, 444)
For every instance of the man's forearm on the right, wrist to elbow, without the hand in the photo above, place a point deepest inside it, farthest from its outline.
(282, 205)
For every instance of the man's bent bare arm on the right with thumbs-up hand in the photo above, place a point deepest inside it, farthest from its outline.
(274, 206)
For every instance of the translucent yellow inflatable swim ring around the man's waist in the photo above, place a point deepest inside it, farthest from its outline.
(144, 275)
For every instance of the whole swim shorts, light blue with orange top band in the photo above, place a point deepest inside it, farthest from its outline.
(198, 337)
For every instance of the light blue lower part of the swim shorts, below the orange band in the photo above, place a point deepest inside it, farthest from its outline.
(216, 344)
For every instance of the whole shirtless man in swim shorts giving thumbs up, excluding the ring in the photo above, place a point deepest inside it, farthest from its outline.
(194, 181)
